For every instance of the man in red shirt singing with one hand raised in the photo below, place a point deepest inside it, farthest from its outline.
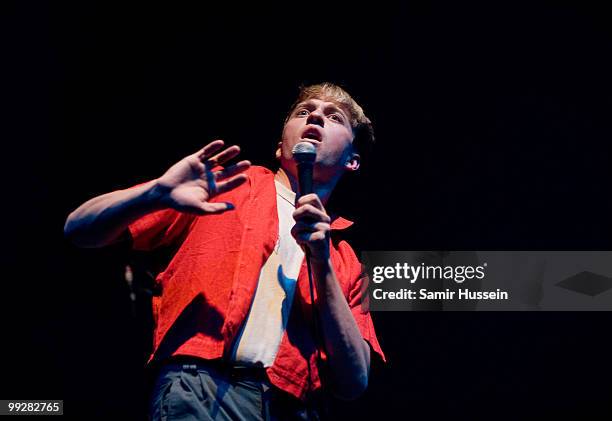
(234, 335)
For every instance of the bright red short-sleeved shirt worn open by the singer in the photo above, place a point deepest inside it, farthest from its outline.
(208, 286)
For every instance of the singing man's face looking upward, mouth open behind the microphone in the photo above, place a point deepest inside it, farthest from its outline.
(327, 126)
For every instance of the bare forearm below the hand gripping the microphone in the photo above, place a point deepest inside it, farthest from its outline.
(348, 353)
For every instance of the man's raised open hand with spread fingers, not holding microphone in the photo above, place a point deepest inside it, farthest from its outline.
(189, 184)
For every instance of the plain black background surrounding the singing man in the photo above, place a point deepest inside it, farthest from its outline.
(492, 123)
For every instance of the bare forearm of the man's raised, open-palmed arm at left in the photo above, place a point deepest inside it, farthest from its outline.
(102, 220)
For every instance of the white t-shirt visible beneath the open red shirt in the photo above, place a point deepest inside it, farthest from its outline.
(260, 336)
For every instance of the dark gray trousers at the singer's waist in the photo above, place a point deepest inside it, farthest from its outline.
(197, 390)
